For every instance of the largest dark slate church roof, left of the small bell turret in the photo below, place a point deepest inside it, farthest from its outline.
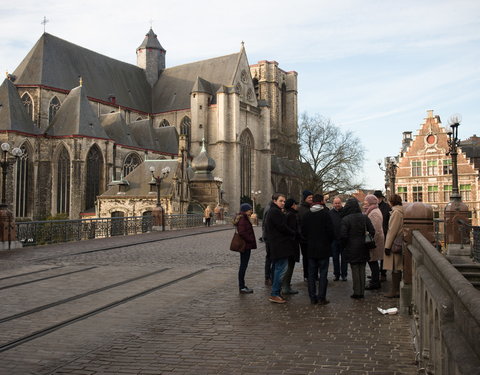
(57, 63)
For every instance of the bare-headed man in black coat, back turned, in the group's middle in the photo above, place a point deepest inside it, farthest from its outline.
(317, 229)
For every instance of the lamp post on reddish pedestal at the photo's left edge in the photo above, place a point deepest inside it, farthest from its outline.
(7, 220)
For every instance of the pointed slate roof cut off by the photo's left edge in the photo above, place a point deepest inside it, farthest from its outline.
(13, 115)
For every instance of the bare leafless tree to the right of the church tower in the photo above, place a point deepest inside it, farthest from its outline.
(331, 159)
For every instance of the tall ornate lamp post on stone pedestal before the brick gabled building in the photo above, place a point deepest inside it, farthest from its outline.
(455, 210)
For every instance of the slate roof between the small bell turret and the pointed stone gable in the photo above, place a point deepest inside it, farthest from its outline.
(172, 90)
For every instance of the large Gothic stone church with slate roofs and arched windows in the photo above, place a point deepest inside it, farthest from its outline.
(85, 122)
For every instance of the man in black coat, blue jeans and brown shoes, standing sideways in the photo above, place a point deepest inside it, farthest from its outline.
(279, 237)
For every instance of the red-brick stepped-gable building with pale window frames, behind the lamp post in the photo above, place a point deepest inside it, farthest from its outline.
(424, 171)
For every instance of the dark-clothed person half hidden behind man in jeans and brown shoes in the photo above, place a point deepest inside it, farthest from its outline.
(292, 222)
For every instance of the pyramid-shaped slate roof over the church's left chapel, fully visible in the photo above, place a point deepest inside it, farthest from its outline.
(76, 117)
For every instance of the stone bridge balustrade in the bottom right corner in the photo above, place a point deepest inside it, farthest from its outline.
(446, 311)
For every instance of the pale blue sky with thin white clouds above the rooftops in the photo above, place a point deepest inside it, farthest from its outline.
(374, 67)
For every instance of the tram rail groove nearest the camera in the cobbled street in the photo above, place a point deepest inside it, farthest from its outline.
(43, 332)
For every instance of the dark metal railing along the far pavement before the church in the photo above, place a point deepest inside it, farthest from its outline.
(32, 233)
